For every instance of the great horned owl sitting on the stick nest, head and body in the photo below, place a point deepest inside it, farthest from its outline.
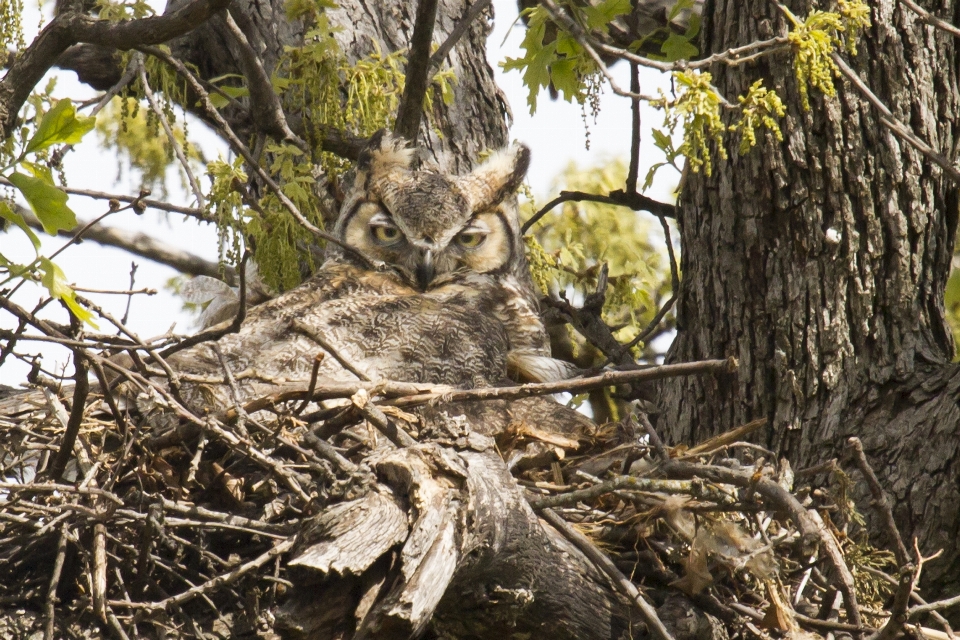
(453, 304)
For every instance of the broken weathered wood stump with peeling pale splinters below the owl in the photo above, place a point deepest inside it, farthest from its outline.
(476, 561)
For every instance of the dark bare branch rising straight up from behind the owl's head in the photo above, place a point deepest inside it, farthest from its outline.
(418, 71)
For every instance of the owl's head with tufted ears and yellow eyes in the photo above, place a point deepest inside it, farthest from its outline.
(430, 226)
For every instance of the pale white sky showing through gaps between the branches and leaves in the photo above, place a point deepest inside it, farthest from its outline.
(555, 135)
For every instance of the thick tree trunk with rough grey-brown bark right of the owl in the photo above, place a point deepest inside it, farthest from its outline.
(820, 263)
